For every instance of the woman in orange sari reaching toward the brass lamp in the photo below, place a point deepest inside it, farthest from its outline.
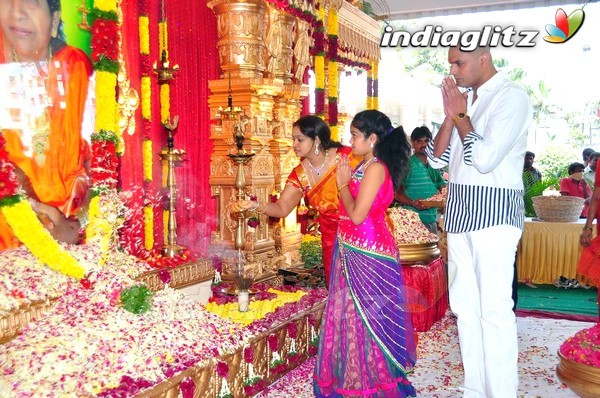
(313, 178)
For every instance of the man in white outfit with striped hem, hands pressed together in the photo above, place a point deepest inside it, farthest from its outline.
(483, 140)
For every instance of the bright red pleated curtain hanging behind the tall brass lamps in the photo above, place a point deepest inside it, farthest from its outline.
(192, 43)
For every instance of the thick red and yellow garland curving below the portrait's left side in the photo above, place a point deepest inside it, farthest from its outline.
(26, 226)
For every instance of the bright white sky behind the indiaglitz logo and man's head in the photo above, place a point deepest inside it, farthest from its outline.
(571, 69)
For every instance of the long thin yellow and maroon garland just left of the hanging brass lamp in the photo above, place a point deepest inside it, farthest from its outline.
(146, 103)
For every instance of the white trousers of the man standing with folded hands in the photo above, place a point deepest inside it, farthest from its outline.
(481, 298)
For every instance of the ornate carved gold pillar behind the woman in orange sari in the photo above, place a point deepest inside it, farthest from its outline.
(257, 63)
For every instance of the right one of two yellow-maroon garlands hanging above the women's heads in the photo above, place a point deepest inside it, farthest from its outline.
(332, 67)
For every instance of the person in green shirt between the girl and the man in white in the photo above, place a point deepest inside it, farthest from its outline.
(422, 180)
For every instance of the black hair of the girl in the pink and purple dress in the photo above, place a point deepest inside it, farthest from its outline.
(392, 146)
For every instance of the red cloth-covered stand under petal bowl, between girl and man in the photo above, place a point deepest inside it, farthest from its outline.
(427, 292)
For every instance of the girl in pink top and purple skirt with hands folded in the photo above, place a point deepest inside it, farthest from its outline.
(367, 342)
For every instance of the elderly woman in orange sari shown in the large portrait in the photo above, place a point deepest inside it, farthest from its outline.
(47, 148)
